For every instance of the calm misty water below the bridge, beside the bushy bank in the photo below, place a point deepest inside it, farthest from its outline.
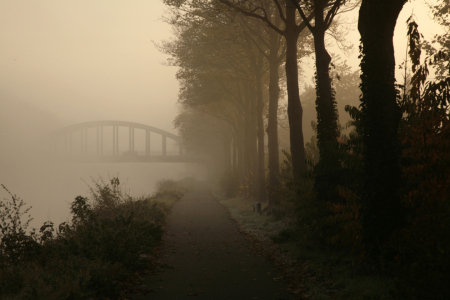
(50, 187)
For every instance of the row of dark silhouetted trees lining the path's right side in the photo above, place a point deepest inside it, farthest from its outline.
(360, 189)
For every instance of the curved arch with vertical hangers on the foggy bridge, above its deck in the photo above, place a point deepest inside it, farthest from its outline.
(83, 130)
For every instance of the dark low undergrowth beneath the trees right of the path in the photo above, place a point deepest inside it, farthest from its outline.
(301, 225)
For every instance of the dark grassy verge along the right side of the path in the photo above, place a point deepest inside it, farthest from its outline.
(316, 271)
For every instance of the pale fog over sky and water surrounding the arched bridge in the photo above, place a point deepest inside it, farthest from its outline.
(67, 62)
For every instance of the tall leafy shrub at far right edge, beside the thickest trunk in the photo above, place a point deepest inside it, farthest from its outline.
(425, 136)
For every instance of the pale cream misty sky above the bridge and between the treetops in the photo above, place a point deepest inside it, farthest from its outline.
(85, 60)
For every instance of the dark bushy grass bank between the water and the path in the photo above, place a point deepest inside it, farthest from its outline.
(109, 239)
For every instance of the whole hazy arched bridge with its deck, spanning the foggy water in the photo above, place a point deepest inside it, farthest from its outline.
(99, 141)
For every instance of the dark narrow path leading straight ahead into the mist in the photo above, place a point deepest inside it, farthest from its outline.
(206, 257)
